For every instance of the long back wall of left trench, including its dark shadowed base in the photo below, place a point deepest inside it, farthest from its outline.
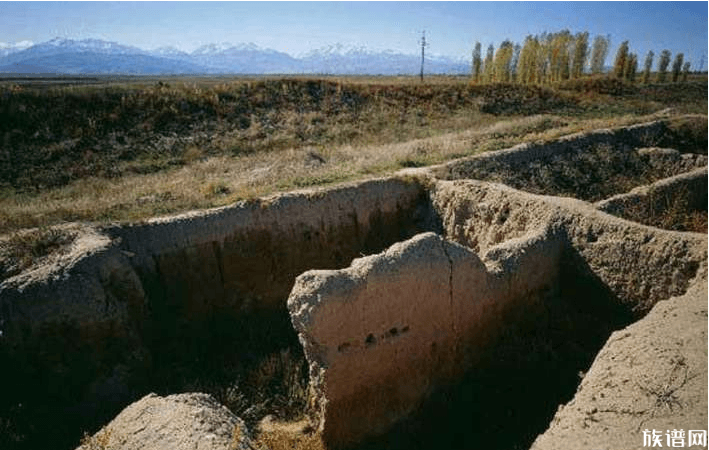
(211, 276)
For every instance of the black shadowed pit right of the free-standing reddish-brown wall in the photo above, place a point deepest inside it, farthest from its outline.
(499, 403)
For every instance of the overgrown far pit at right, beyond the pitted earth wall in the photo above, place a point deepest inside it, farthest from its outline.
(590, 166)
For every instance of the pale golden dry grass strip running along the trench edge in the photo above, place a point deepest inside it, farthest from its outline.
(221, 180)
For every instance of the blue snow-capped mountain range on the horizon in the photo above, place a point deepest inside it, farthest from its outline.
(94, 56)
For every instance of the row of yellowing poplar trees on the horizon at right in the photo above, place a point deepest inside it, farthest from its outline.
(553, 57)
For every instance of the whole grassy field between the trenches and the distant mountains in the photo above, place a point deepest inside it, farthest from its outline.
(125, 149)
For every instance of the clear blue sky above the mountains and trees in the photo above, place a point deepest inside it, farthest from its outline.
(452, 28)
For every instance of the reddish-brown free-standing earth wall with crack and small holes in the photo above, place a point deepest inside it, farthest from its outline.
(383, 334)
